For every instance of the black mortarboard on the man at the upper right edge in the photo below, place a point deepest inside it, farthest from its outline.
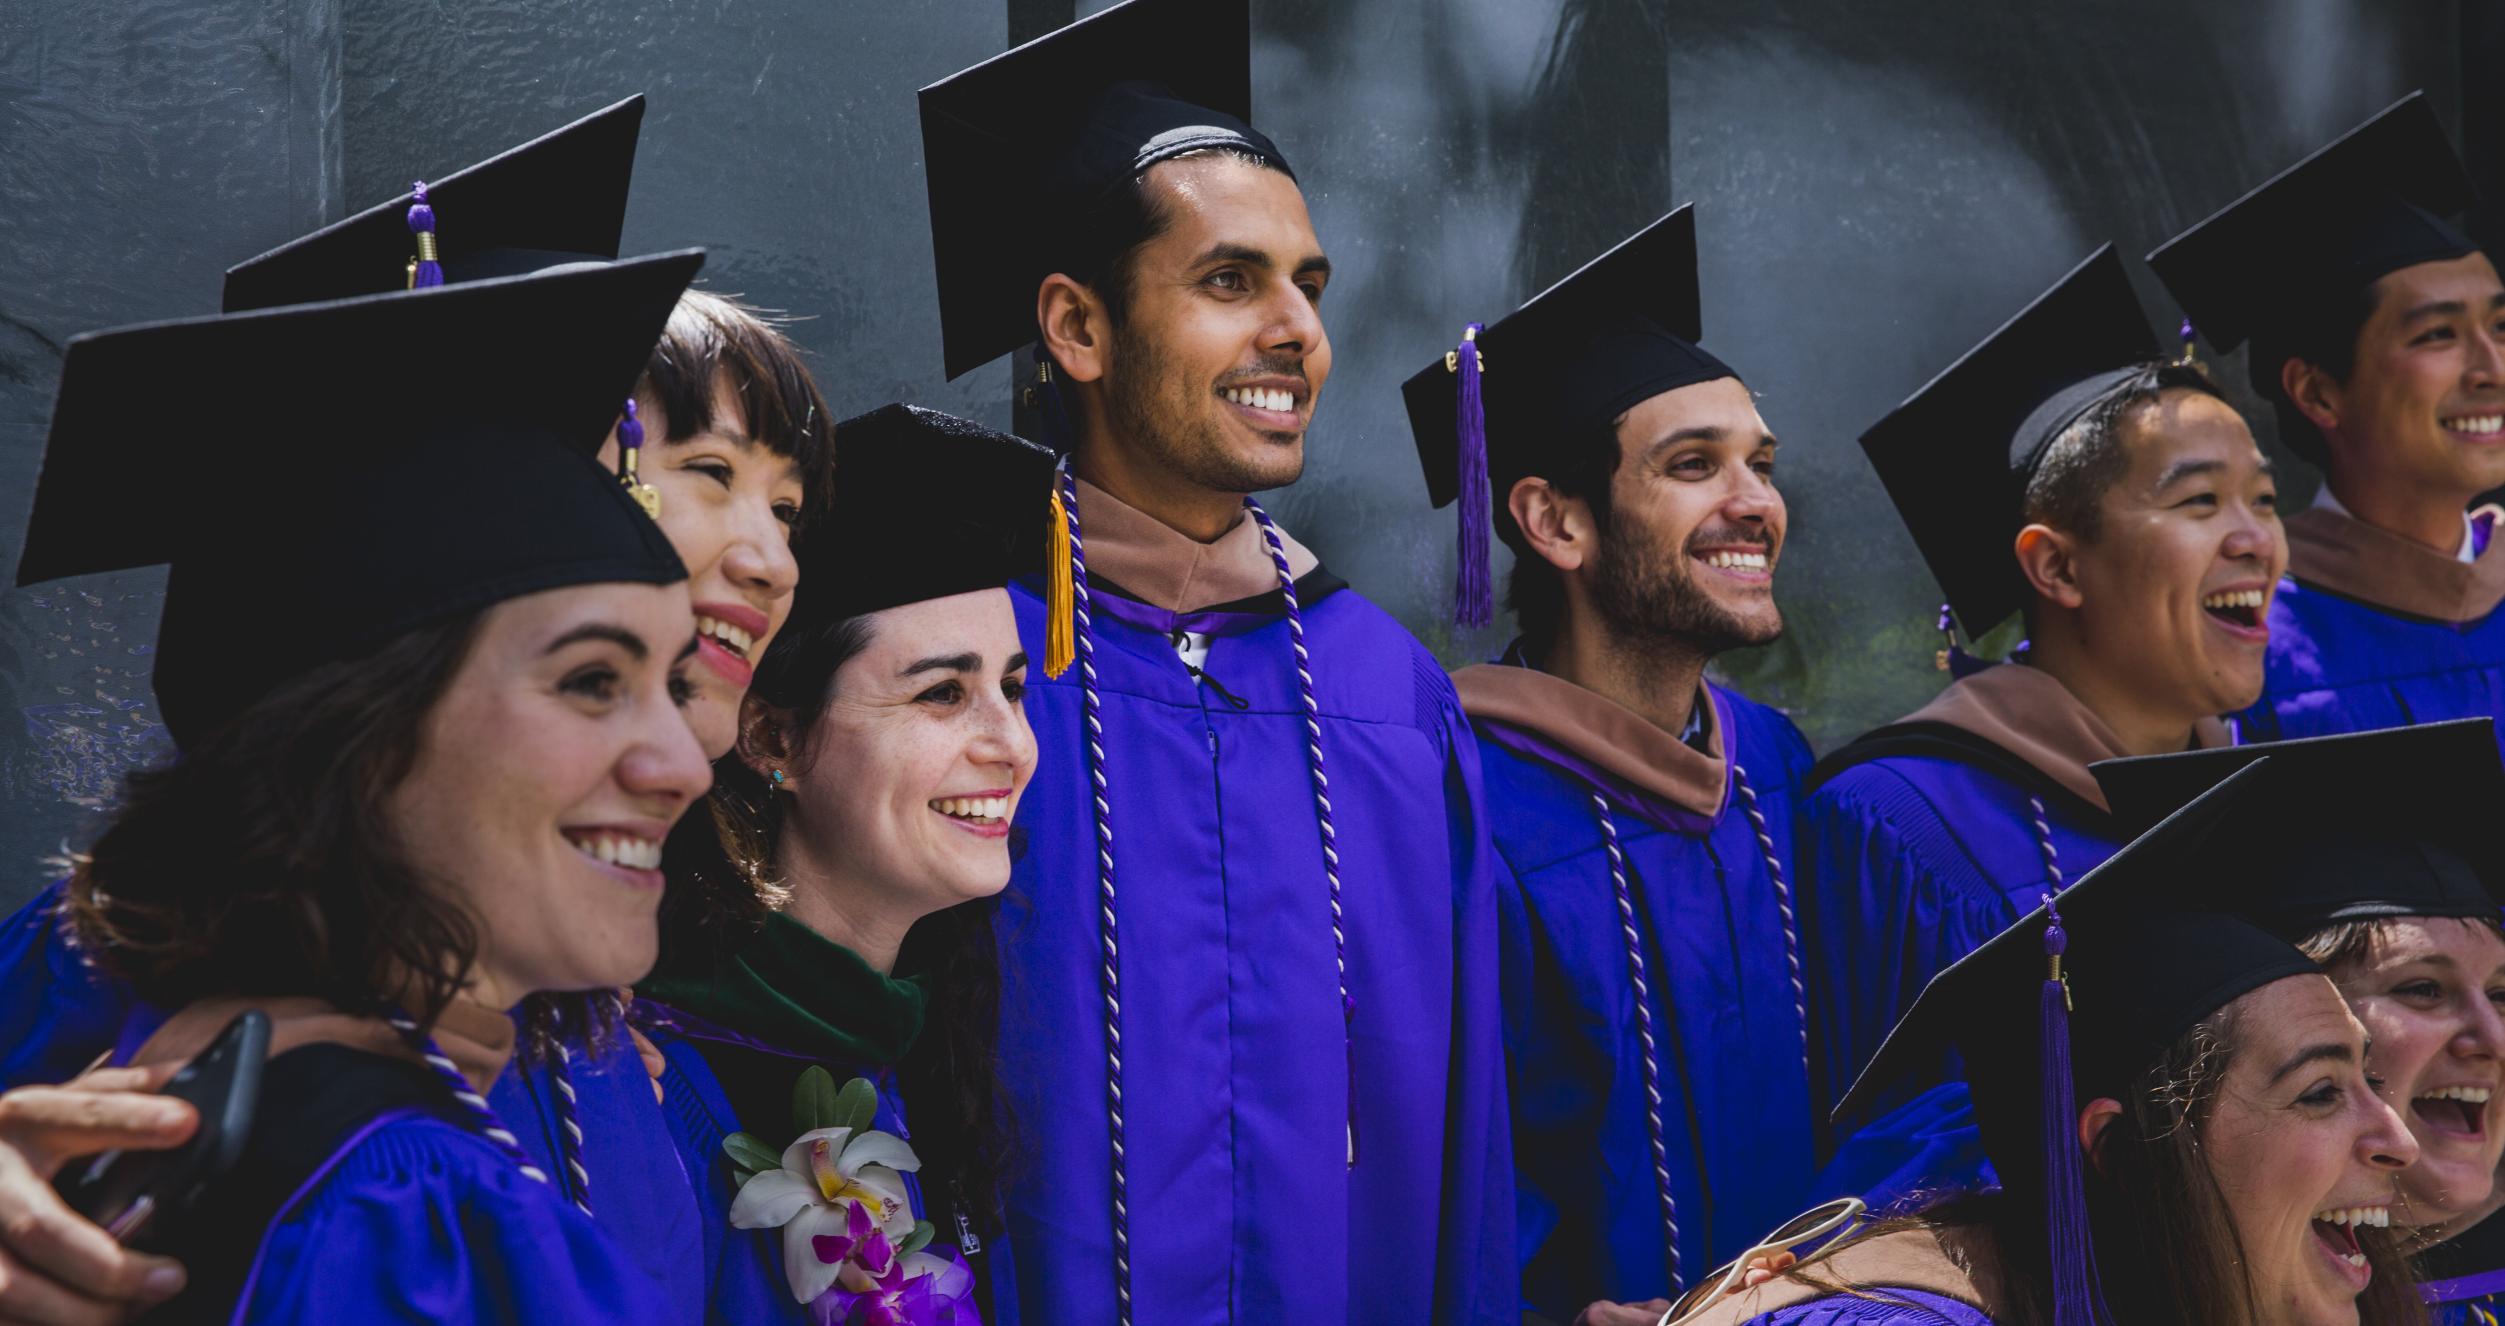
(2358, 209)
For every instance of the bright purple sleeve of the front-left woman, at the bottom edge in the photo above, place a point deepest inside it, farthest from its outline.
(430, 1224)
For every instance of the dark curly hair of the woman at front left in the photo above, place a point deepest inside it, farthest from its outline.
(262, 861)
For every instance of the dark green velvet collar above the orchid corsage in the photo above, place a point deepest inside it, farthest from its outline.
(808, 994)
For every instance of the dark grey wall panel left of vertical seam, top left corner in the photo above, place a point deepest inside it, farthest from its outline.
(144, 147)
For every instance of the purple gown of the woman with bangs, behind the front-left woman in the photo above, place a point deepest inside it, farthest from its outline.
(59, 1016)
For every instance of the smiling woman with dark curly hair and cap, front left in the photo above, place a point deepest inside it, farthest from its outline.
(415, 831)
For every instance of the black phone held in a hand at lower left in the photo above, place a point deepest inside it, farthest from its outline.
(127, 1189)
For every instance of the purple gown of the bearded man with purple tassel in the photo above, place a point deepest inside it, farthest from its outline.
(1737, 1117)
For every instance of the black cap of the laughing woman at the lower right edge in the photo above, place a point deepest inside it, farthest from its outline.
(2394, 823)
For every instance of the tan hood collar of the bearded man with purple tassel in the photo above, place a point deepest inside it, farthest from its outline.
(1587, 731)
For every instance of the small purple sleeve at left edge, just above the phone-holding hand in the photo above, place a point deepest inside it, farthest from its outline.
(56, 1011)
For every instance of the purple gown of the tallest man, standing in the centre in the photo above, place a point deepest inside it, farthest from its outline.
(1236, 1064)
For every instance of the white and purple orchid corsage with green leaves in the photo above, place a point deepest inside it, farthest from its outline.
(853, 1247)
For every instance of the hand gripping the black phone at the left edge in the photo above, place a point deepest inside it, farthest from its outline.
(54, 1265)
